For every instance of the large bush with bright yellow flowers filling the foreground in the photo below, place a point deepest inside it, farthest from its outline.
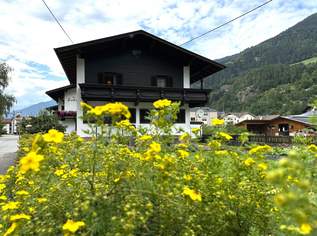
(103, 186)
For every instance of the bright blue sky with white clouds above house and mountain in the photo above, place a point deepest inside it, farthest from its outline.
(28, 33)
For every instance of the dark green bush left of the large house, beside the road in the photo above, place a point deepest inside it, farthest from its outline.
(40, 124)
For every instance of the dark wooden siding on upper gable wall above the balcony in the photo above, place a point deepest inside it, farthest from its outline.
(136, 70)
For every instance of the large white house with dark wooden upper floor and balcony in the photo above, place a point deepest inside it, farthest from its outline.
(135, 68)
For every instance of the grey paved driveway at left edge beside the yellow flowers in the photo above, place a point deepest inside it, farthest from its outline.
(8, 148)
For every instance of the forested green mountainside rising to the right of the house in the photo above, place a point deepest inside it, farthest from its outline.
(277, 76)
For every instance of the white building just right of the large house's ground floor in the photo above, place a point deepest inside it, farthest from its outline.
(202, 115)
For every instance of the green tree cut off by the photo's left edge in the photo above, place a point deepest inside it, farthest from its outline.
(6, 100)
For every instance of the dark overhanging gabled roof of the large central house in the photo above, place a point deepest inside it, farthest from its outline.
(201, 67)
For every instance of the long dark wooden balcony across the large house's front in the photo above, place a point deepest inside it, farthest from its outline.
(101, 92)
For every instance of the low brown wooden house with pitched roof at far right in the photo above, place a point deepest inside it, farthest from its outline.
(275, 125)
